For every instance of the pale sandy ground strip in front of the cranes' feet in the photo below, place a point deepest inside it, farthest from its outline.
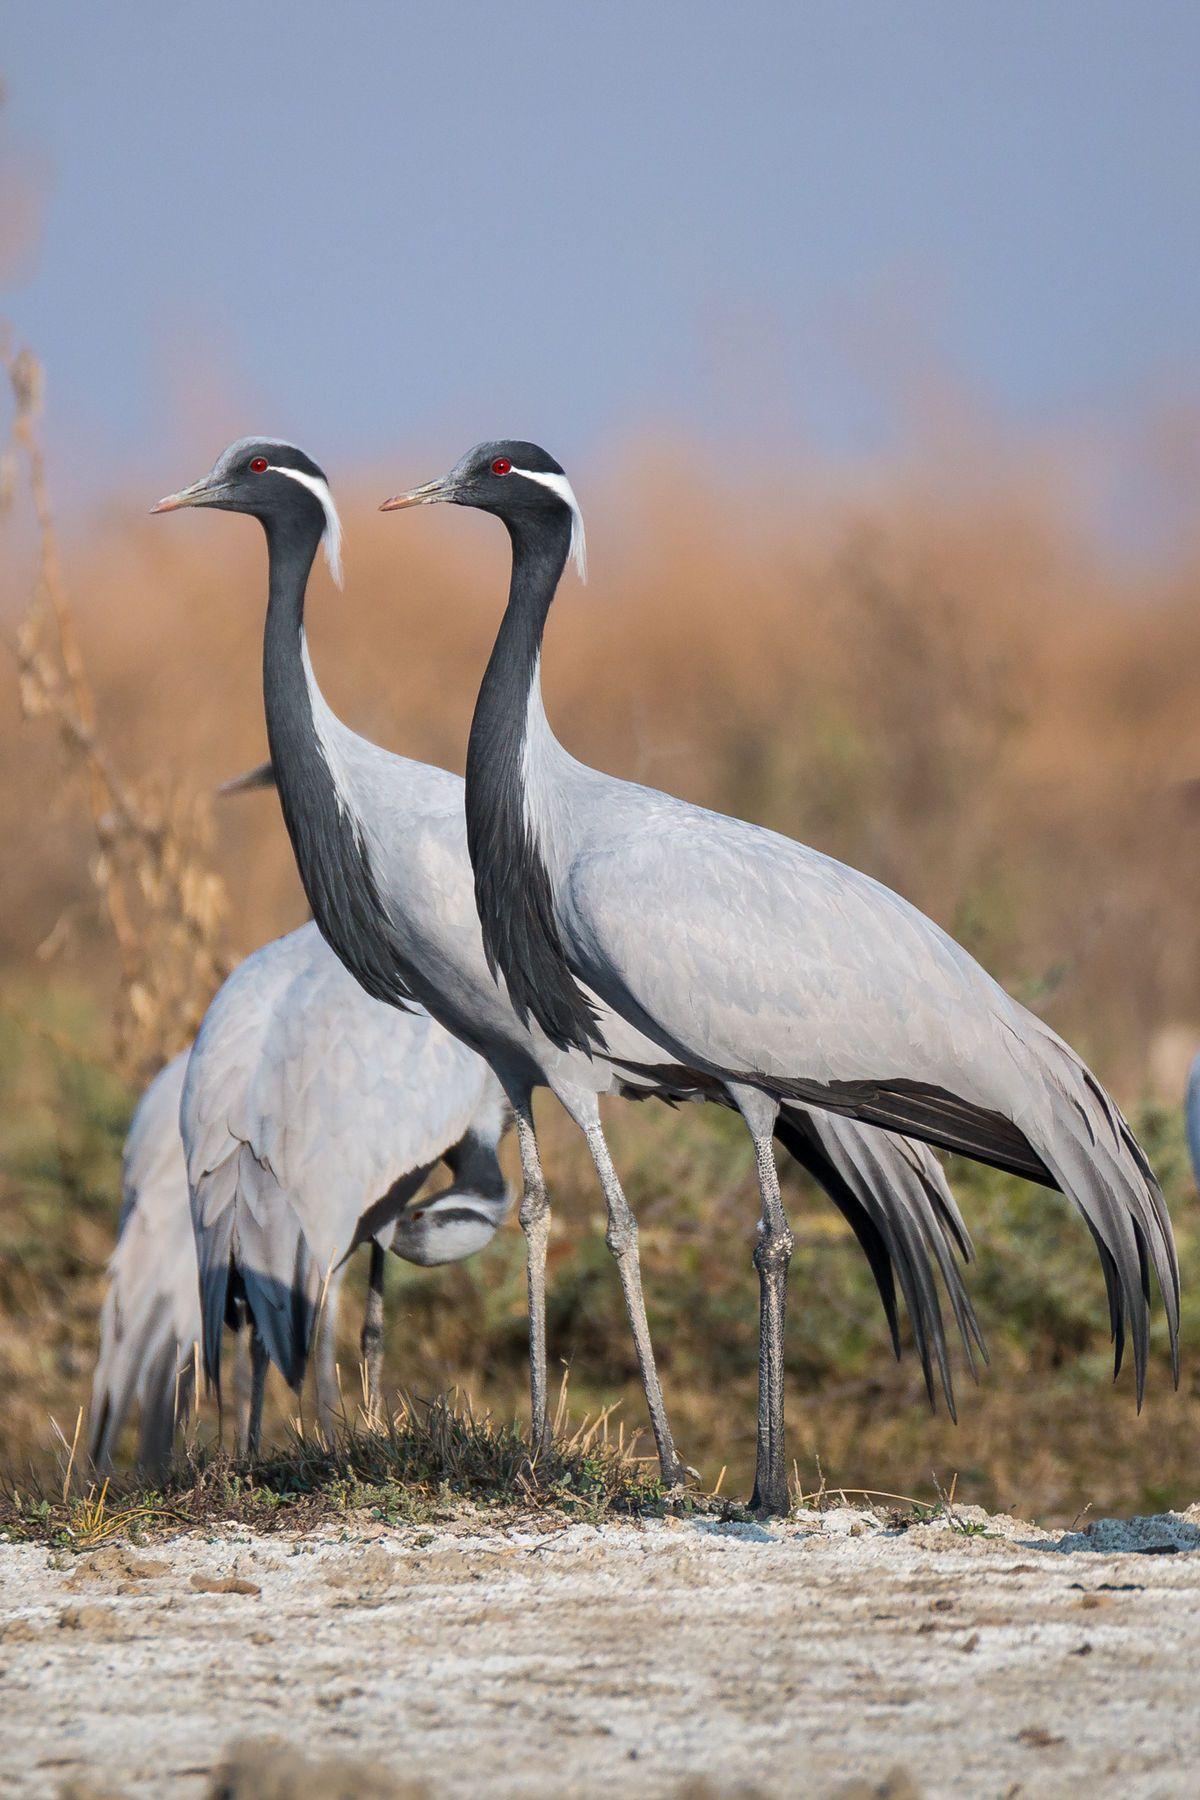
(827, 1657)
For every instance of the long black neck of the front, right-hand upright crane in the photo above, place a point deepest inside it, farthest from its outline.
(512, 881)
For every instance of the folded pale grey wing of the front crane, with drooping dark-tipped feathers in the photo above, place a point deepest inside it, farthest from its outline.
(758, 960)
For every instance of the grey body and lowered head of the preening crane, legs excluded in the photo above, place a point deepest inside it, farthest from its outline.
(310, 1117)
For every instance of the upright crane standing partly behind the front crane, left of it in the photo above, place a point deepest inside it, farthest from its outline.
(381, 843)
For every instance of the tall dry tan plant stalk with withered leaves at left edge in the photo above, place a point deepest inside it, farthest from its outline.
(152, 870)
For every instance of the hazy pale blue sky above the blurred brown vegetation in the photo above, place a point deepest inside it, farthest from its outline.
(379, 226)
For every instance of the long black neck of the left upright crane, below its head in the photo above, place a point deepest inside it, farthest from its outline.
(327, 834)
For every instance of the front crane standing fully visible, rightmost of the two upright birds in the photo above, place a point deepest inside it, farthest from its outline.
(758, 964)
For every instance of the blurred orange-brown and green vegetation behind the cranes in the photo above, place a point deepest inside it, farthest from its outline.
(938, 672)
